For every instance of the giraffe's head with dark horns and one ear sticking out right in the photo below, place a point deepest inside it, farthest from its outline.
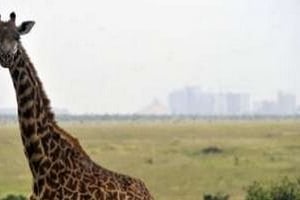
(10, 38)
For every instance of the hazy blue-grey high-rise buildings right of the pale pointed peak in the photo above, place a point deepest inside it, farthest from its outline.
(195, 101)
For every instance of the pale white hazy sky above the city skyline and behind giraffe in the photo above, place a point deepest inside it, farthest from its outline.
(115, 56)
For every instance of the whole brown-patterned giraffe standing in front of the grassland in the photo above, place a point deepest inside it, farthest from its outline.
(60, 167)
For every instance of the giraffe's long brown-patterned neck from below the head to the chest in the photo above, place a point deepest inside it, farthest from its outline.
(34, 113)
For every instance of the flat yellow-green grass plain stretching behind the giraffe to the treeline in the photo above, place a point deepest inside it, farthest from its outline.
(168, 155)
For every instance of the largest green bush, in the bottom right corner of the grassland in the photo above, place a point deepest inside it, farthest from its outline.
(284, 190)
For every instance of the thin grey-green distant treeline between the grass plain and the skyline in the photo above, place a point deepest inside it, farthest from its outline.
(116, 117)
